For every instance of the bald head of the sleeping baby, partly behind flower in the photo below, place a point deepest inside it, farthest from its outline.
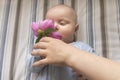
(65, 19)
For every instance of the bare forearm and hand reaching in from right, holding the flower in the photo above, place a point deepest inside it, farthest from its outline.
(55, 51)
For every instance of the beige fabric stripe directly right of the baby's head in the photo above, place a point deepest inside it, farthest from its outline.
(81, 12)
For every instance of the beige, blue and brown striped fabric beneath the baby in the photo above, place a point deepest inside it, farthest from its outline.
(99, 27)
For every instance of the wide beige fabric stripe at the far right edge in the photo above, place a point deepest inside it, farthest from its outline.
(112, 29)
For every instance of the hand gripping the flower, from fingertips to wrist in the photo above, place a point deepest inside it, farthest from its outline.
(54, 51)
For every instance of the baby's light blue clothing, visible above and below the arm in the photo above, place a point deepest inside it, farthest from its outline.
(52, 72)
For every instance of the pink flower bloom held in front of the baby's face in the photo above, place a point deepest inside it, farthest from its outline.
(45, 28)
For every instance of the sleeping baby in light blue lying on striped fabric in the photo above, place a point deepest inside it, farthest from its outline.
(65, 20)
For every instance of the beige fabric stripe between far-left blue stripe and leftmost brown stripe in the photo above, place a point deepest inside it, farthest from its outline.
(9, 42)
